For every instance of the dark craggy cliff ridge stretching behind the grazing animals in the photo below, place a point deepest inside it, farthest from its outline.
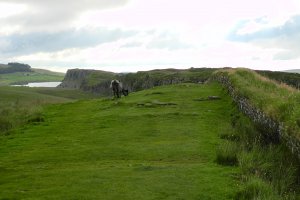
(98, 81)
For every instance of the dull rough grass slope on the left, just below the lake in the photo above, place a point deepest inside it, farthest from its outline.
(21, 105)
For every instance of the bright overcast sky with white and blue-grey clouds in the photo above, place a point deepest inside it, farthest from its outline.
(138, 35)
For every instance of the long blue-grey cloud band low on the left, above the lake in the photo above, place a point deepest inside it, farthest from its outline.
(22, 44)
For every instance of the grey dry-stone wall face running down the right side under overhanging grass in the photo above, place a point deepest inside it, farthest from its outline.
(272, 130)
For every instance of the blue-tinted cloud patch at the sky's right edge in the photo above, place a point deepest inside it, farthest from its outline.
(285, 37)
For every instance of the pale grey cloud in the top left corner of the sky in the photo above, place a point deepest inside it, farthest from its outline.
(46, 14)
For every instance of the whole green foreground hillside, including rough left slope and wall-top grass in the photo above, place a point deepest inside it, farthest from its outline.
(179, 141)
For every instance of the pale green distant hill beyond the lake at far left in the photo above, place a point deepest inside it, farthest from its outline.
(18, 74)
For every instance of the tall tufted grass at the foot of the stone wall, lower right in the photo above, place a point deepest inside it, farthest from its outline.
(268, 171)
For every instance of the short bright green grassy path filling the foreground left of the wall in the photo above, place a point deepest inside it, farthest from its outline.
(154, 144)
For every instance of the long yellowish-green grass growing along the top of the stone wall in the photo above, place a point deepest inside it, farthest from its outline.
(279, 101)
